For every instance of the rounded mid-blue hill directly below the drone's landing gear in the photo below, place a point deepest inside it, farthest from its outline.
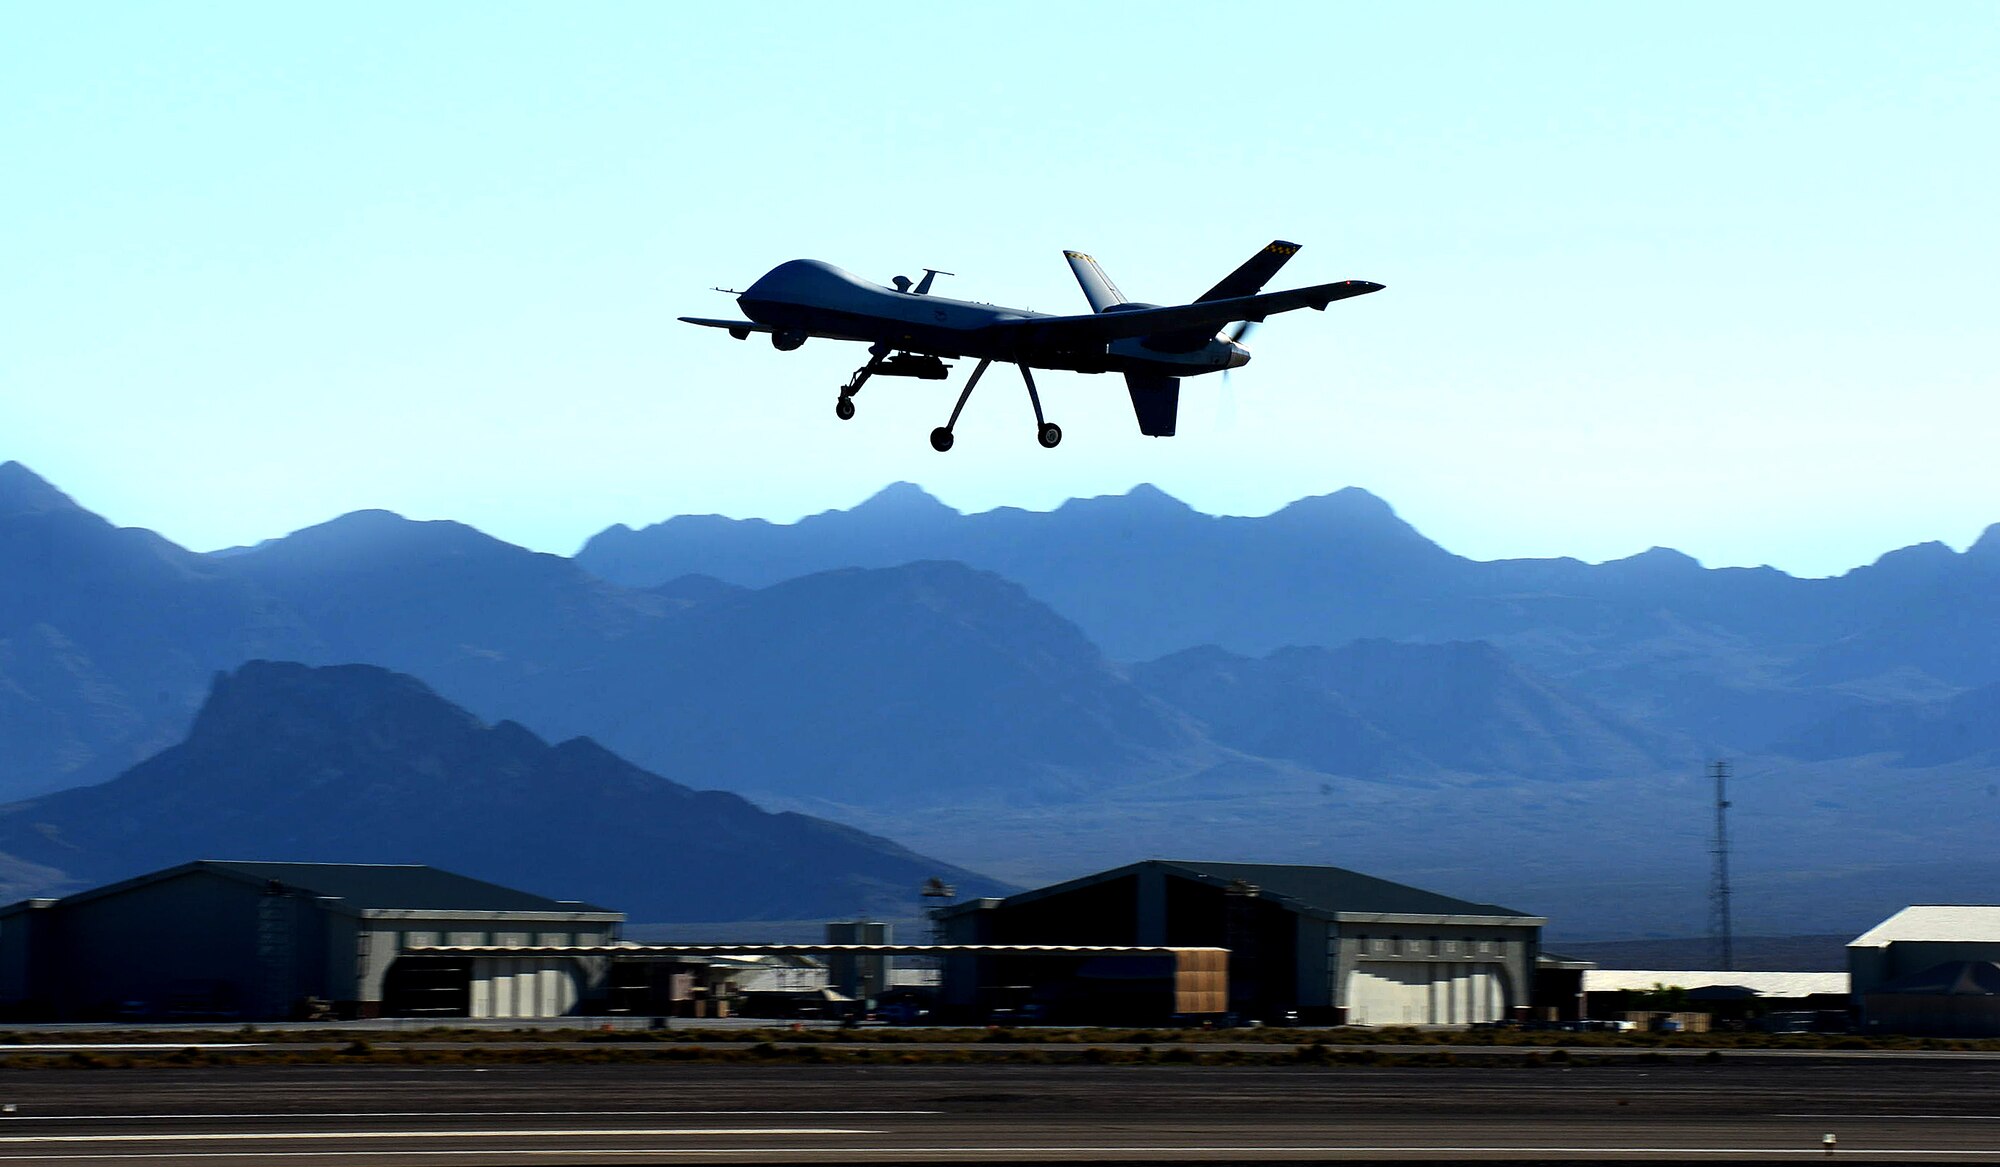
(903, 686)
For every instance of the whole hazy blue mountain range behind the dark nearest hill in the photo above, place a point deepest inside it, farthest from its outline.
(1039, 694)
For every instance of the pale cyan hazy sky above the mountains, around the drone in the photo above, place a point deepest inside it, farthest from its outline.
(1719, 277)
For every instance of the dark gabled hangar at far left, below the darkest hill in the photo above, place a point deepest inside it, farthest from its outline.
(285, 940)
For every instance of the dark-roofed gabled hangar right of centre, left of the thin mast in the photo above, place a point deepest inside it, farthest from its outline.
(1327, 944)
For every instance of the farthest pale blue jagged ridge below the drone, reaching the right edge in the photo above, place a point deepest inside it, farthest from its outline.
(1733, 658)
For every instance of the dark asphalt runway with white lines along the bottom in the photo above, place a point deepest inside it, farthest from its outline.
(315, 1116)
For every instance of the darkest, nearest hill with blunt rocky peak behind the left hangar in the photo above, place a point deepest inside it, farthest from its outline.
(361, 764)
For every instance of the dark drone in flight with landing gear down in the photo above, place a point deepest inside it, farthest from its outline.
(911, 333)
